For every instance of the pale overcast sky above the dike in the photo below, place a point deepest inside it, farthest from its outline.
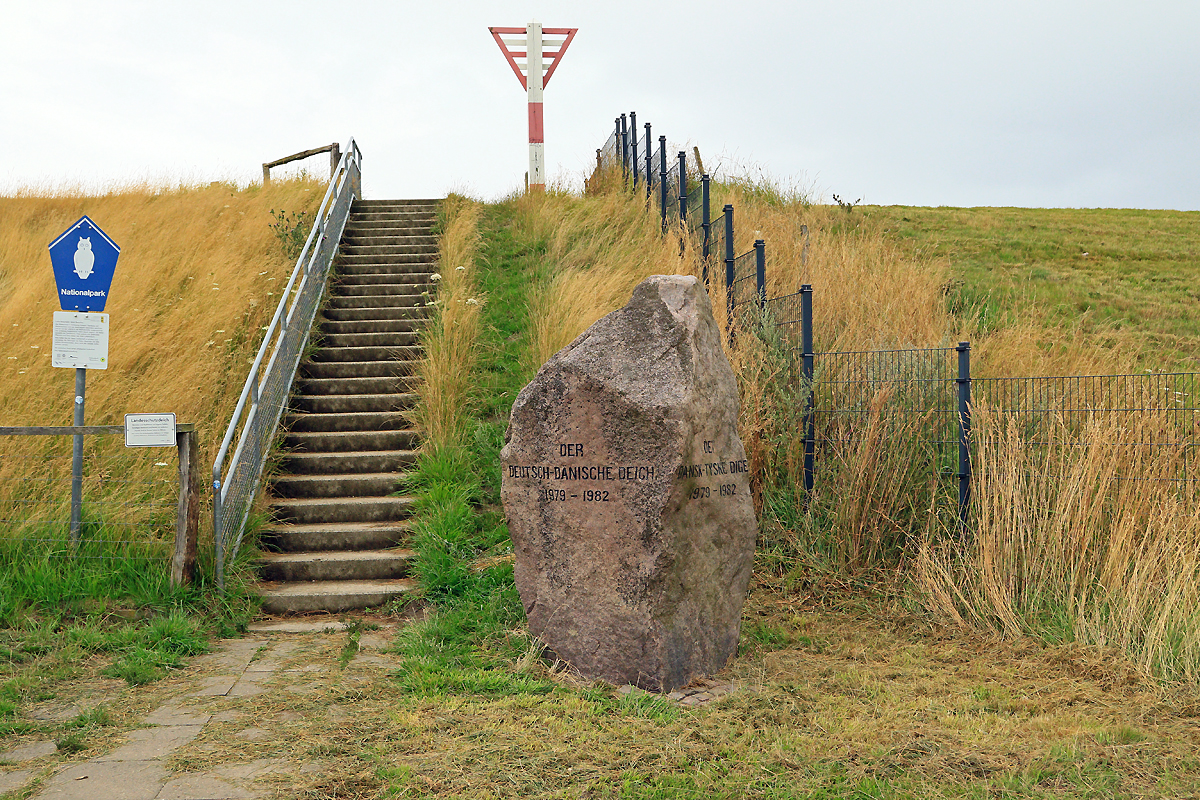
(928, 103)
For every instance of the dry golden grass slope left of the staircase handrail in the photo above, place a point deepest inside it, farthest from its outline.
(199, 276)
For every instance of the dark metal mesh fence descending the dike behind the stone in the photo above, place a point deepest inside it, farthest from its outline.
(922, 399)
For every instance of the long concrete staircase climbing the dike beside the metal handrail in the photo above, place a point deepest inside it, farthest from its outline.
(337, 542)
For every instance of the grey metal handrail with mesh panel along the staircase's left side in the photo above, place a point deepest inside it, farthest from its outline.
(265, 396)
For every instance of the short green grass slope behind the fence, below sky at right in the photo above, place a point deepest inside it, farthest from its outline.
(1119, 275)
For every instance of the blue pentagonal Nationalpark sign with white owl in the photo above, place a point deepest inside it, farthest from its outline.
(85, 260)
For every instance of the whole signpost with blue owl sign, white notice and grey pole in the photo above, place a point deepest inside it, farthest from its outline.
(85, 260)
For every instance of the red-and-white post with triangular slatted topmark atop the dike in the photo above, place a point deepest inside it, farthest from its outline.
(535, 76)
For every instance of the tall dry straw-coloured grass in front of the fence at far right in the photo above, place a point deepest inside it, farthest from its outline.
(1078, 538)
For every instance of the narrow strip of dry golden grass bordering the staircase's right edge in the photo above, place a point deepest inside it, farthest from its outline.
(451, 339)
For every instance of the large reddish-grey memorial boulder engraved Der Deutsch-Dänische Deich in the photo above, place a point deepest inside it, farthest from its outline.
(628, 497)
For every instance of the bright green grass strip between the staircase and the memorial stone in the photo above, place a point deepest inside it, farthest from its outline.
(464, 554)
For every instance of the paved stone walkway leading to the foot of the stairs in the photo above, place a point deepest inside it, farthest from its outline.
(140, 768)
